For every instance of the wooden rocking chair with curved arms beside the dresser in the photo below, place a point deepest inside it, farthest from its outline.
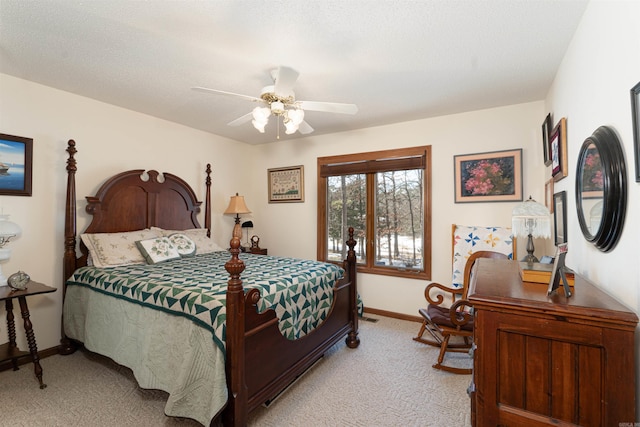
(446, 322)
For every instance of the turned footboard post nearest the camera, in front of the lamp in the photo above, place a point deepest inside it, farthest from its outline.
(235, 414)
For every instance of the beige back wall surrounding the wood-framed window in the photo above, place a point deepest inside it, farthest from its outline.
(516, 126)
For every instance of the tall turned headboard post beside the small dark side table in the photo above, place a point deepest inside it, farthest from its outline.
(66, 347)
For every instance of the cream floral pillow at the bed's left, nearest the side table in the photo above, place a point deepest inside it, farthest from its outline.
(115, 249)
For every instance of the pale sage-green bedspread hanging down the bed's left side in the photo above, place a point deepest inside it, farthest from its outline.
(164, 351)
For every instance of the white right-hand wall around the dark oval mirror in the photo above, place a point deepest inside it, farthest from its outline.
(591, 89)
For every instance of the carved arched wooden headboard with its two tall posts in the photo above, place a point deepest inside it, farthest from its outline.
(129, 201)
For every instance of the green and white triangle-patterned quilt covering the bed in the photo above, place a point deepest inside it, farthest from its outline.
(300, 291)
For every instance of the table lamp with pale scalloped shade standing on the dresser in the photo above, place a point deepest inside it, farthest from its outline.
(531, 219)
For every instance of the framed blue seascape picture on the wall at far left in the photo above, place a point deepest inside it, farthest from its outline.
(16, 155)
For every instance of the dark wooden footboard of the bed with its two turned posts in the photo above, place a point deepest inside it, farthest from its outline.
(261, 362)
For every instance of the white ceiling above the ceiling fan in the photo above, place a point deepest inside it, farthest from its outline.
(397, 60)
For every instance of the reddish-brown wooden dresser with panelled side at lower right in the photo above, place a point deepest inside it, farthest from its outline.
(549, 360)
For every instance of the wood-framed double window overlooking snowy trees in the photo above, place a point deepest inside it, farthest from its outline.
(386, 197)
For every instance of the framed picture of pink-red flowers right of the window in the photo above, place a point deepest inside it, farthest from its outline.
(488, 177)
